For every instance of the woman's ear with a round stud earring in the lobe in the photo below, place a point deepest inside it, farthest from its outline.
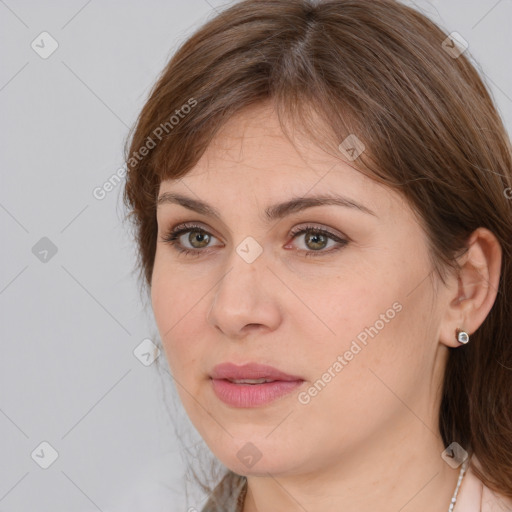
(471, 294)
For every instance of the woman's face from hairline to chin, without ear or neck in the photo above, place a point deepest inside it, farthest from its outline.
(350, 317)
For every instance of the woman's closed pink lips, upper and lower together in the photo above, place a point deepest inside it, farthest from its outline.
(251, 395)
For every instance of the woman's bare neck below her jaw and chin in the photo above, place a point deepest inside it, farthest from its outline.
(397, 472)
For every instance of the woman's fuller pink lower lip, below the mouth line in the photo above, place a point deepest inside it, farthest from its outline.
(252, 395)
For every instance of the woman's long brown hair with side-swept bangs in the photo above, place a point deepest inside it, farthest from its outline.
(384, 72)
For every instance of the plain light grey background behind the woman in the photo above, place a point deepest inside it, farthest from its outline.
(70, 323)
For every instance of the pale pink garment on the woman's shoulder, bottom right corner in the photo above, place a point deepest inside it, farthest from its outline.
(475, 496)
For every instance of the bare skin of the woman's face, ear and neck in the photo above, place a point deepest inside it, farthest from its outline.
(369, 439)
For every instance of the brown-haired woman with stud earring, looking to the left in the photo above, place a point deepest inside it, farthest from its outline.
(322, 198)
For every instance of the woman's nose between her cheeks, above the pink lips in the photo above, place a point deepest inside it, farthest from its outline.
(246, 300)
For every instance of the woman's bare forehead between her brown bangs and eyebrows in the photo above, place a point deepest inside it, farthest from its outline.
(251, 157)
